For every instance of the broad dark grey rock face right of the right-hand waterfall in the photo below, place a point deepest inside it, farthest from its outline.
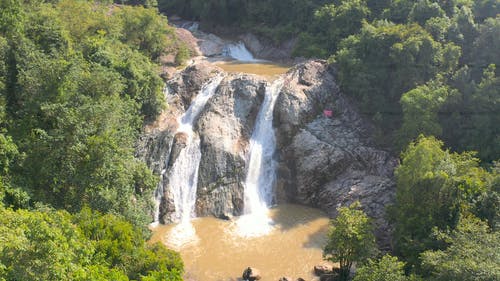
(329, 162)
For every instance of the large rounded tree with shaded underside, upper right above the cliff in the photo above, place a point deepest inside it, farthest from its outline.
(386, 60)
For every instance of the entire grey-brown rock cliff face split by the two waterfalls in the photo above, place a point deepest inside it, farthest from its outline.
(324, 162)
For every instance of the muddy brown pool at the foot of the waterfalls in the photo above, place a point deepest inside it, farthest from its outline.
(216, 250)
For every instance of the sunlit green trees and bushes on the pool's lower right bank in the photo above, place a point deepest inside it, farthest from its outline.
(446, 220)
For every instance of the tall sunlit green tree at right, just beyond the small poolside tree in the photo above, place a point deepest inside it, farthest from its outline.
(434, 188)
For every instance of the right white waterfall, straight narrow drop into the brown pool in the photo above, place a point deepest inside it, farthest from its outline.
(261, 175)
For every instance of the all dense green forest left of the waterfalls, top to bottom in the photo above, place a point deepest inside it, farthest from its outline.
(78, 80)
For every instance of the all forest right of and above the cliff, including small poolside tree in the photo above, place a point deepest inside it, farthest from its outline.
(415, 68)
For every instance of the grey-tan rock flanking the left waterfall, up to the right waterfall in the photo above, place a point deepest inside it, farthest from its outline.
(224, 128)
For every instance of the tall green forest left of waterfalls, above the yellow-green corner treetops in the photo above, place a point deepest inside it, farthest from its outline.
(78, 79)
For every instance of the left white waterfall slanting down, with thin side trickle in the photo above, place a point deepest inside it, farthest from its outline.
(183, 176)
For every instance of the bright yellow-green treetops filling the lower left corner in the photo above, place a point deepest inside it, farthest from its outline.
(54, 245)
